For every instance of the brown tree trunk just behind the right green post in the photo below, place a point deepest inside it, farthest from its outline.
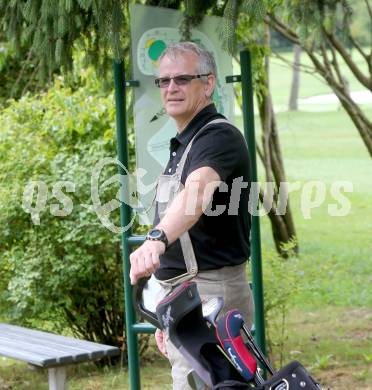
(282, 224)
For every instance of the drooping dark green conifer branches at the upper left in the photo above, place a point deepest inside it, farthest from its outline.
(41, 36)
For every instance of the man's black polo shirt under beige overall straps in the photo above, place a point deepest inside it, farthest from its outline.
(219, 240)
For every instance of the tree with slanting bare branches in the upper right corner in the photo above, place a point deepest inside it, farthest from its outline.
(323, 31)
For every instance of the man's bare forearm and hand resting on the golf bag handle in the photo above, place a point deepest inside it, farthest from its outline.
(183, 213)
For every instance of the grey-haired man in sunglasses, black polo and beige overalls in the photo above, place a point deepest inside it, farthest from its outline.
(202, 226)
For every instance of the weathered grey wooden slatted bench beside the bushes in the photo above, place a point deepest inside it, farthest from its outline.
(47, 350)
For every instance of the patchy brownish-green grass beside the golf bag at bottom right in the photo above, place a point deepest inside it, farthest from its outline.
(334, 343)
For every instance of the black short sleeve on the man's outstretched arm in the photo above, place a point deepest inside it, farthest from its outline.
(217, 148)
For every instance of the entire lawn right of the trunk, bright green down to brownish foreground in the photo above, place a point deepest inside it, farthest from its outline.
(329, 325)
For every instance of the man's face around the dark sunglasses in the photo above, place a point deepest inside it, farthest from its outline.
(183, 102)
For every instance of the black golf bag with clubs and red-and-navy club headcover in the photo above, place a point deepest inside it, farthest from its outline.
(216, 349)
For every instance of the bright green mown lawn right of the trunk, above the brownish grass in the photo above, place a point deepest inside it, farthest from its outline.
(325, 148)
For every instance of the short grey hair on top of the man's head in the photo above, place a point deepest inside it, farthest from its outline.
(207, 63)
